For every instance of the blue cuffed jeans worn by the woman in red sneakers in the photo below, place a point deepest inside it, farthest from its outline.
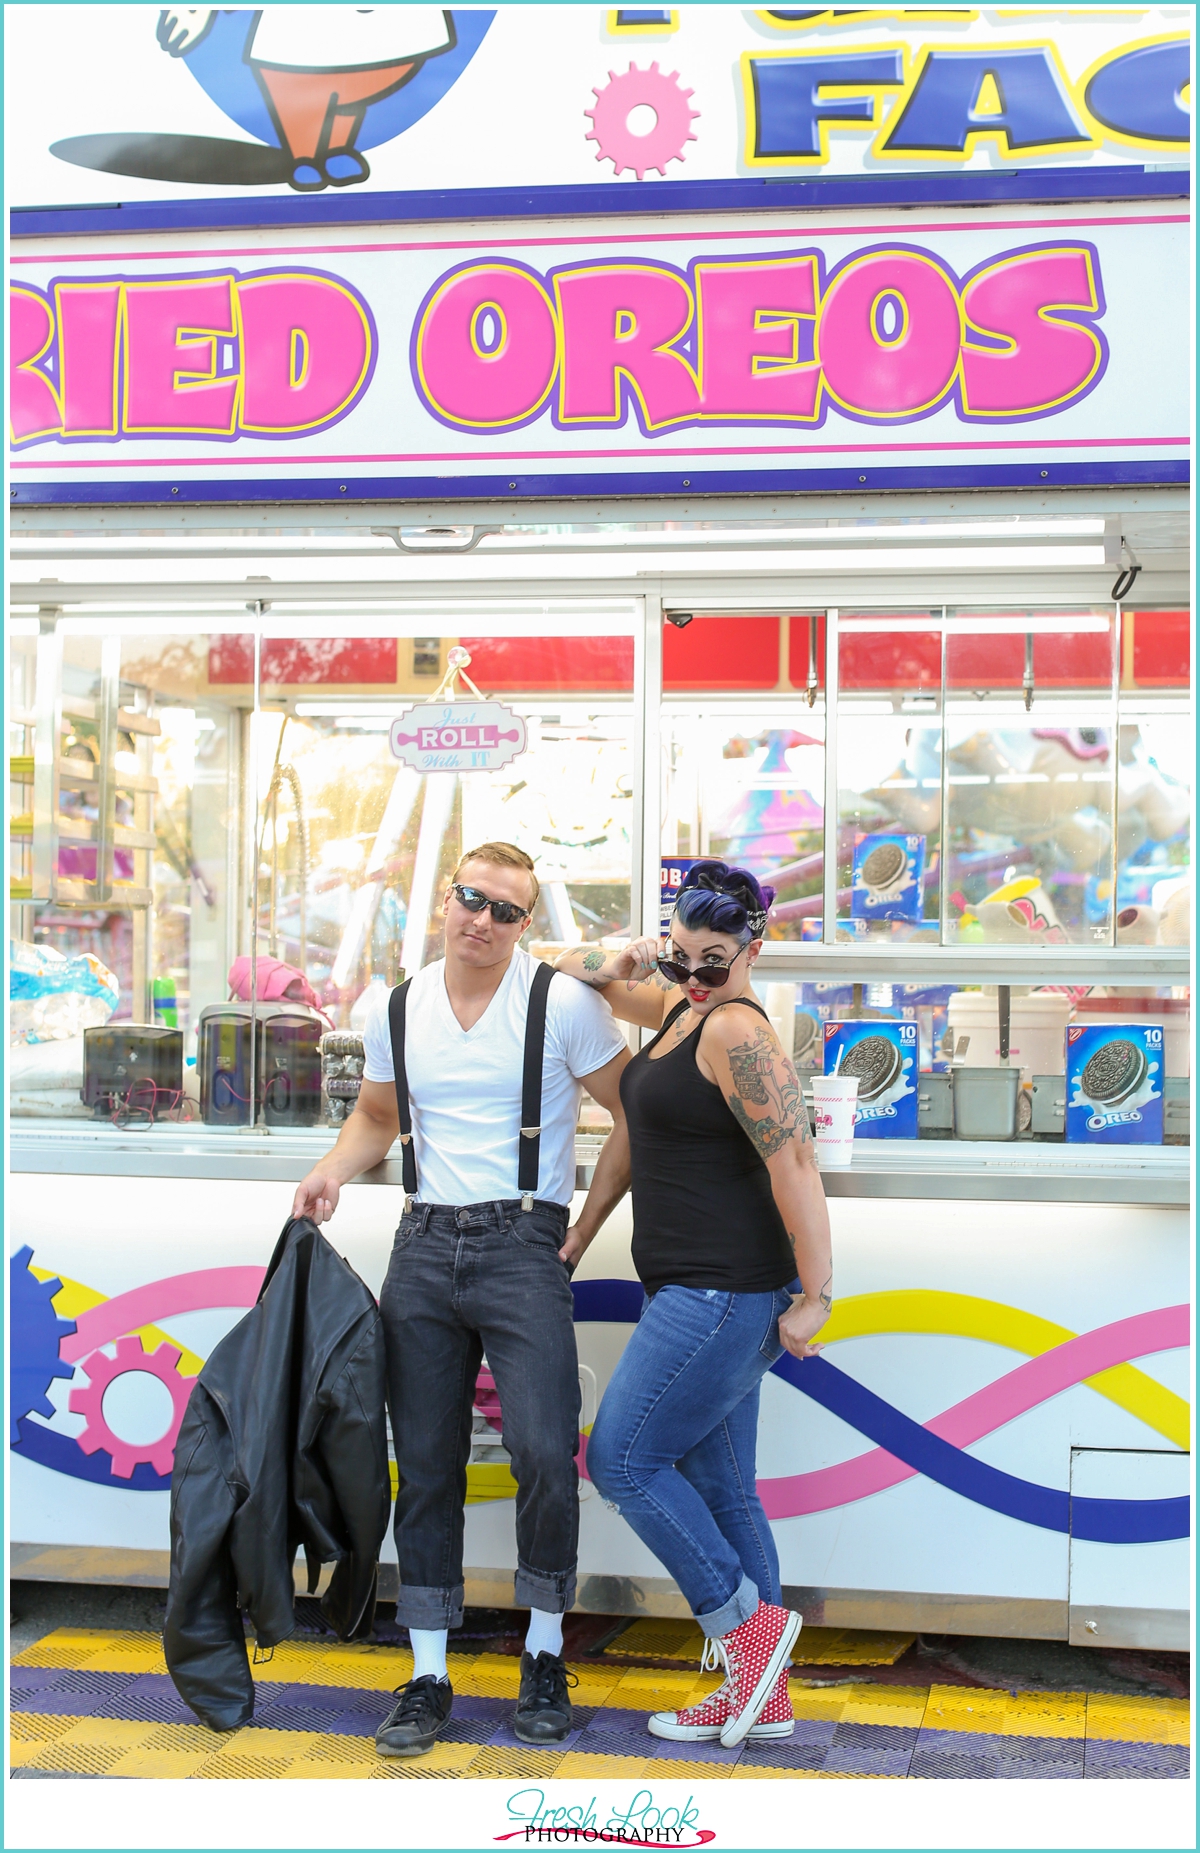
(673, 1446)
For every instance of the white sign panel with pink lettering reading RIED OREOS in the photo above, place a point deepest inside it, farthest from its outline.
(831, 355)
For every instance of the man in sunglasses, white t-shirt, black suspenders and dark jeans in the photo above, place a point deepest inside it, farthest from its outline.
(481, 1268)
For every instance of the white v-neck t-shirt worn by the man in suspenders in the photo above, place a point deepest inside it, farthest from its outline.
(466, 1085)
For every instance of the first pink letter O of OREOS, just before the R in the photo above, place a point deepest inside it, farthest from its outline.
(486, 347)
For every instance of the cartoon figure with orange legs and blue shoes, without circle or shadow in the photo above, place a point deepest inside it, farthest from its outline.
(319, 69)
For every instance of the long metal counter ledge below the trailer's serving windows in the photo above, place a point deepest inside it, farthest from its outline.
(1021, 1172)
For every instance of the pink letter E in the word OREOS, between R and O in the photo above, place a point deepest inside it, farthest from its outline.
(749, 318)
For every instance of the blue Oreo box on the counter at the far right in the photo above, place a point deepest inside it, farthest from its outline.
(1116, 1085)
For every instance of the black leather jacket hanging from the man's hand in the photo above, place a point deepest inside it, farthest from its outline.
(282, 1446)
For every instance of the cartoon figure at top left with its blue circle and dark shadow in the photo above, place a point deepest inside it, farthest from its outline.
(312, 86)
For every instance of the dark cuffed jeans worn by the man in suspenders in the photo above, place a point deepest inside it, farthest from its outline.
(462, 1283)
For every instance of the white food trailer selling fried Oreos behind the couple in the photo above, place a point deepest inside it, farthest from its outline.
(823, 509)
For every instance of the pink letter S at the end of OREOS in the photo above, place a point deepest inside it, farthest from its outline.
(1047, 360)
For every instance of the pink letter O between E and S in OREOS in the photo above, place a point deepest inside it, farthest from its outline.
(890, 334)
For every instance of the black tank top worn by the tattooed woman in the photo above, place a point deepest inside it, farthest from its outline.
(703, 1205)
